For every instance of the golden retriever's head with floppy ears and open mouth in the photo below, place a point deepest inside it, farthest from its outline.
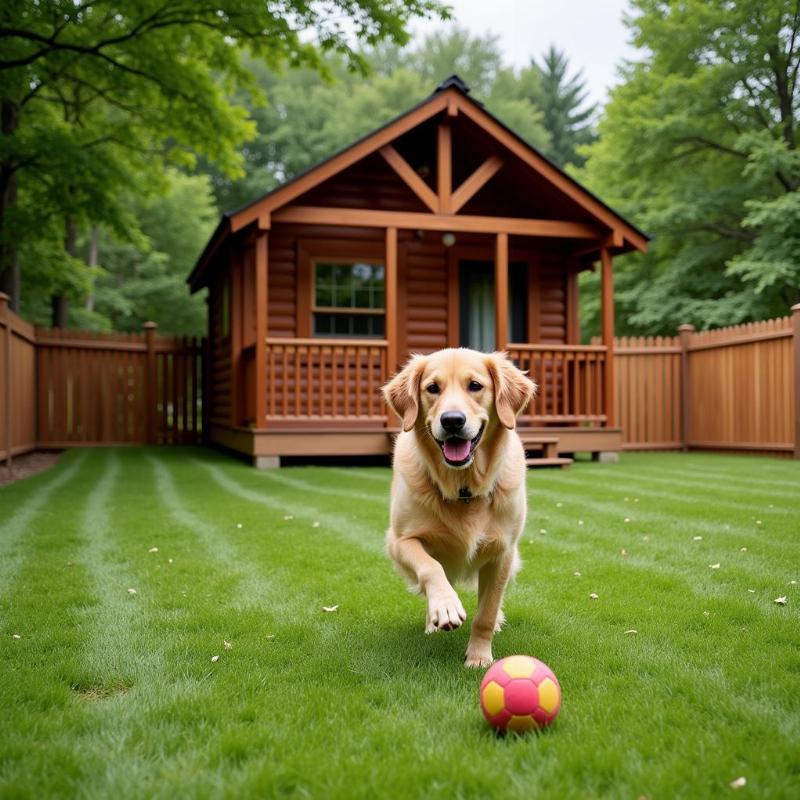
(456, 394)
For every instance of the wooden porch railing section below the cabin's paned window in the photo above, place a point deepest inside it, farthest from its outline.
(326, 379)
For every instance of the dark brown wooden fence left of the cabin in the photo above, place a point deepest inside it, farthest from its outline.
(66, 388)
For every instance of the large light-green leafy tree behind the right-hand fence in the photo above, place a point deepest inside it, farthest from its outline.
(699, 146)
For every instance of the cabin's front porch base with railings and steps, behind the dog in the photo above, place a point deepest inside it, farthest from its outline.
(322, 398)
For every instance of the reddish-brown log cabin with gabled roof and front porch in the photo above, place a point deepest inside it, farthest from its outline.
(441, 228)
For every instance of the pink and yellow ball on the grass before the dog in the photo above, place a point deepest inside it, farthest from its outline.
(520, 693)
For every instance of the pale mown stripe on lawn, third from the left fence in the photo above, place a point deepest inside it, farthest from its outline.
(252, 587)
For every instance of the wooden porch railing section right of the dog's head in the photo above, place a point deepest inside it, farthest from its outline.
(570, 379)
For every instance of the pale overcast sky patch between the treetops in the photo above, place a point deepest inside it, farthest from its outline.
(590, 32)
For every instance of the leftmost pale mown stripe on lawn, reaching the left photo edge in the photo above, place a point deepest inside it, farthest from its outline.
(36, 495)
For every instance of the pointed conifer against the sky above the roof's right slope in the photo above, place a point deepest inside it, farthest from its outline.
(562, 101)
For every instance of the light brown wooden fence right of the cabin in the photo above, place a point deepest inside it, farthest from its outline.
(735, 388)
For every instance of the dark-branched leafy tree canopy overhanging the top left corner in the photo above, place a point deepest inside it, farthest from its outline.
(156, 78)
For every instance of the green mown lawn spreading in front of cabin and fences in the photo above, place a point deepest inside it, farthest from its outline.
(108, 693)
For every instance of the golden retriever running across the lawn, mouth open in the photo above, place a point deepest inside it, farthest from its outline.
(458, 500)
